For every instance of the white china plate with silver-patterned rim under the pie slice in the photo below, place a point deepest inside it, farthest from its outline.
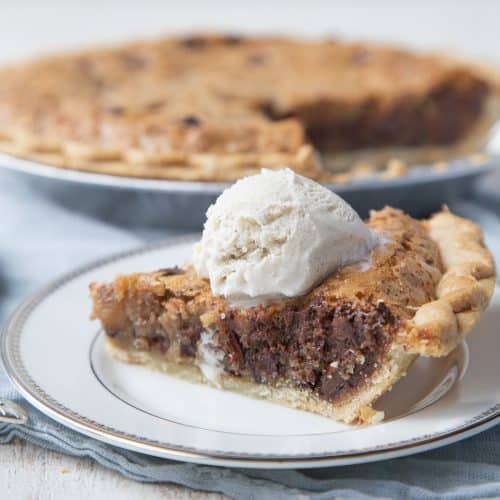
(55, 356)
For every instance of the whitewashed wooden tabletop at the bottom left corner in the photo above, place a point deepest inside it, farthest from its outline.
(31, 473)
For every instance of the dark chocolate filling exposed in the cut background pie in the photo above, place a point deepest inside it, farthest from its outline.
(443, 117)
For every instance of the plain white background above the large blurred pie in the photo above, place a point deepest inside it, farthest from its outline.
(470, 27)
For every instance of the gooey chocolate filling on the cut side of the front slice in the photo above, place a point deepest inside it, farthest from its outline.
(329, 349)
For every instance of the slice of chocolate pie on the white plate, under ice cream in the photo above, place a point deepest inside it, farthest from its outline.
(334, 351)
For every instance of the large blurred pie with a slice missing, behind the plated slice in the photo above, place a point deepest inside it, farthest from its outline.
(217, 108)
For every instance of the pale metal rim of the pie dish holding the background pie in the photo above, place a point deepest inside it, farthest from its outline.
(419, 174)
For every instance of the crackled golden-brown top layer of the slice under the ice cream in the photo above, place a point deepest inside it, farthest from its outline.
(402, 275)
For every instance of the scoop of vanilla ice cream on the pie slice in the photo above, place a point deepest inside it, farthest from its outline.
(277, 234)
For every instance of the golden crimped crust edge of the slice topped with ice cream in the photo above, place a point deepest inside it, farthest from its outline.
(462, 293)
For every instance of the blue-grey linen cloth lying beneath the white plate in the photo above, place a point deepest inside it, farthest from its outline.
(39, 240)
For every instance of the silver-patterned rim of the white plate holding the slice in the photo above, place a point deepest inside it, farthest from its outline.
(19, 376)
